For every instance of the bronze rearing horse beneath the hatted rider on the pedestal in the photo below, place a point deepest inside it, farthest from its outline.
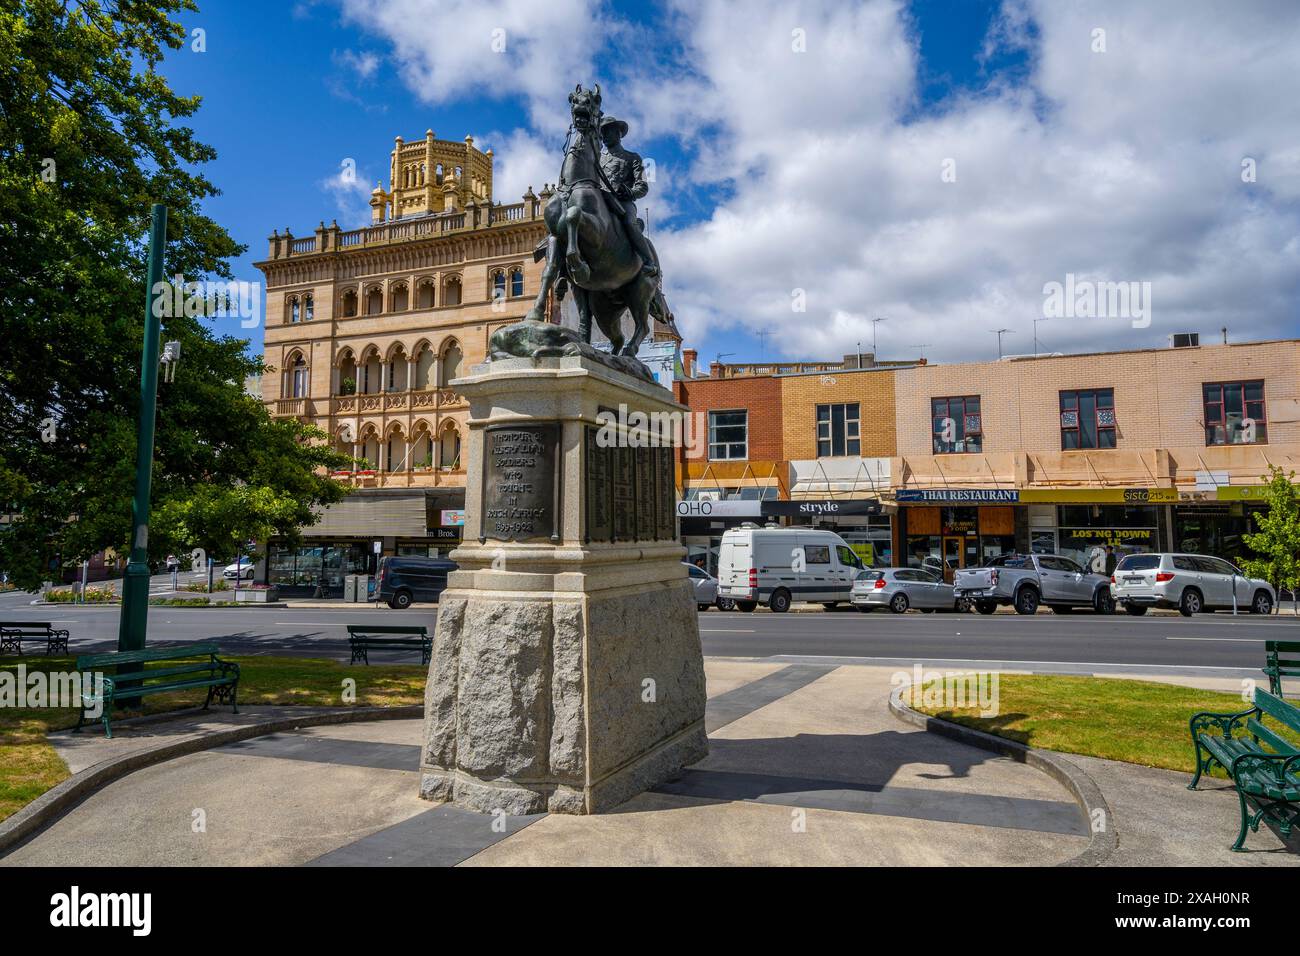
(588, 249)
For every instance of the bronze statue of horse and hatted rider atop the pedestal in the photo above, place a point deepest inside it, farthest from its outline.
(596, 248)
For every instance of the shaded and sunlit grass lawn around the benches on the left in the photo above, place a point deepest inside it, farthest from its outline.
(29, 765)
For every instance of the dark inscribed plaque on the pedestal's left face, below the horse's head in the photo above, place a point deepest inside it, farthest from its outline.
(519, 482)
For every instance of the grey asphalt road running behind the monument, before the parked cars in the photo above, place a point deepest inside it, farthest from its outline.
(1206, 642)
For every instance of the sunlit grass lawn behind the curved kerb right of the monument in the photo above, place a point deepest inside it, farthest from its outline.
(1133, 721)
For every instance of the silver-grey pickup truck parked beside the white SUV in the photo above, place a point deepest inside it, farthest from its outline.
(1028, 581)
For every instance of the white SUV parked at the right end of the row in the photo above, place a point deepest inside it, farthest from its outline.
(1191, 583)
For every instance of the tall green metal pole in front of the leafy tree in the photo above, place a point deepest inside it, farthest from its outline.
(136, 585)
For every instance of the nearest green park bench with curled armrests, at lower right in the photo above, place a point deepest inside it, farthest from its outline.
(1264, 767)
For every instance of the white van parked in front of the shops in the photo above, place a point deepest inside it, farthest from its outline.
(777, 566)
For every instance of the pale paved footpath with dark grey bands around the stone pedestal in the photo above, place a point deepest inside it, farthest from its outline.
(807, 767)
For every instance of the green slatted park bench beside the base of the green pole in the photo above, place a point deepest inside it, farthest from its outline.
(220, 677)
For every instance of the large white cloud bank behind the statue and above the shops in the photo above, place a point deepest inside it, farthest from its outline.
(1121, 166)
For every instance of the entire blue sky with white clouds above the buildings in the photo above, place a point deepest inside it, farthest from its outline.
(817, 170)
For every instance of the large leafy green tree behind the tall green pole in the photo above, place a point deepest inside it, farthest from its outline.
(90, 136)
